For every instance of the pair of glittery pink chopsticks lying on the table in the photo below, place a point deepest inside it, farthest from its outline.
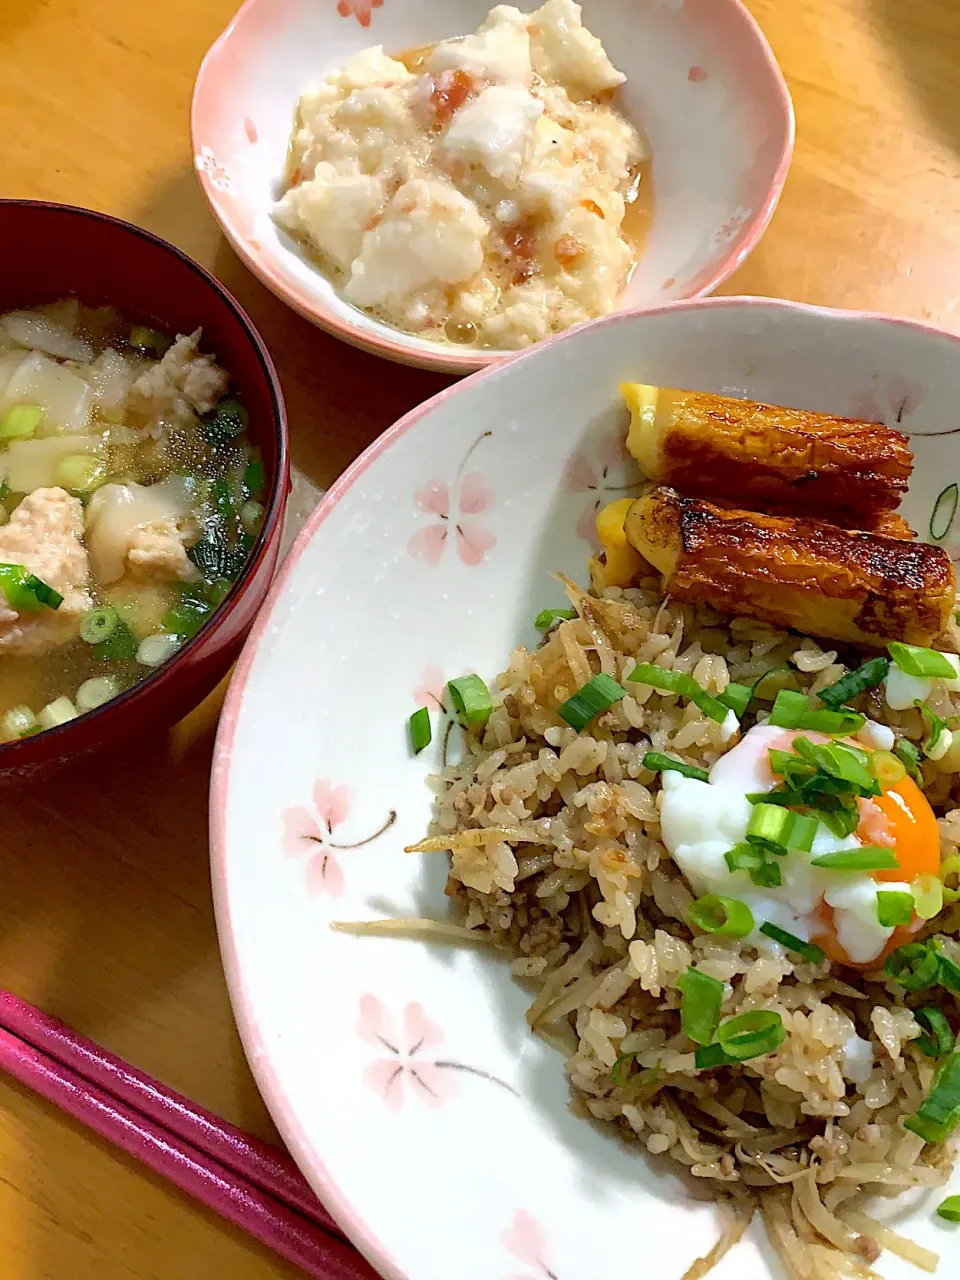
(243, 1180)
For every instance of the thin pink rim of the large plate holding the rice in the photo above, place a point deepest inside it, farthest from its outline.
(268, 1082)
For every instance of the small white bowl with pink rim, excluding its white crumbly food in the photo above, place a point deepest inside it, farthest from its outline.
(701, 79)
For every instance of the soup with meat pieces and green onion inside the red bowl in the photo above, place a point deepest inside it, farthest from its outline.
(130, 500)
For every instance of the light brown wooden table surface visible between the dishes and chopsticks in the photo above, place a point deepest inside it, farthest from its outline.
(106, 915)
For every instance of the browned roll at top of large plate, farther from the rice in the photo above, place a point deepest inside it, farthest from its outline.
(764, 458)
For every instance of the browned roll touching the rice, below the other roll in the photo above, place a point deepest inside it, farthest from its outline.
(792, 573)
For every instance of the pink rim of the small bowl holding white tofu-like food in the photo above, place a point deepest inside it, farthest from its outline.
(440, 360)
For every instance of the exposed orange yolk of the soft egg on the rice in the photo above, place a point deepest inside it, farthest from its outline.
(900, 819)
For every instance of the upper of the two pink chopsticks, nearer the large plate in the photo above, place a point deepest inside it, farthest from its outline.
(266, 1167)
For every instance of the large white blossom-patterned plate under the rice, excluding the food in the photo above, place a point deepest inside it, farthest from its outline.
(403, 1075)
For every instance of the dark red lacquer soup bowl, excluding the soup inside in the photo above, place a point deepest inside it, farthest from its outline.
(53, 252)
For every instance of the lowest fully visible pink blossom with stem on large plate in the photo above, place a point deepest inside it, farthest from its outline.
(409, 1067)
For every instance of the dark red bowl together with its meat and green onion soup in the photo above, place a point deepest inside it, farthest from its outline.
(144, 479)
